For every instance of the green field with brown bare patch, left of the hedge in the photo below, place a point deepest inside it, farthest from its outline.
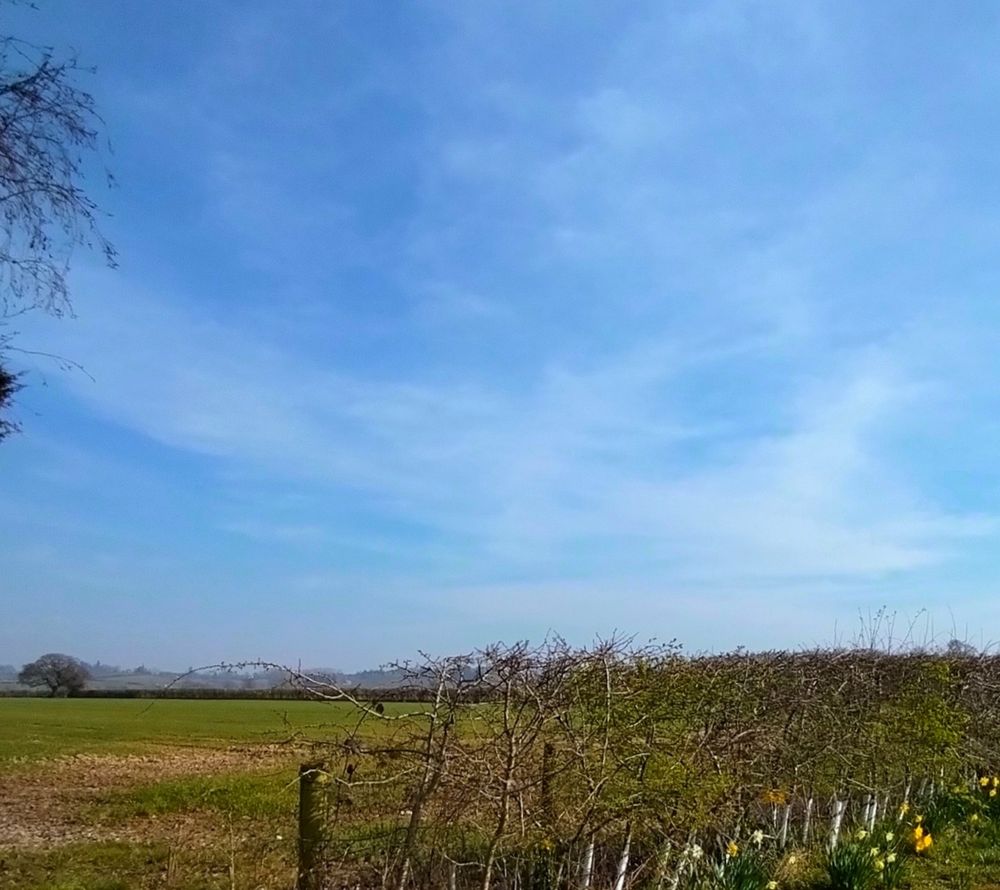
(109, 794)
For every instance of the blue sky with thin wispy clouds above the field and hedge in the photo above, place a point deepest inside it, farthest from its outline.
(444, 323)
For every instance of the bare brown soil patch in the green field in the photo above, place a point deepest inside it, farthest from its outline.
(47, 804)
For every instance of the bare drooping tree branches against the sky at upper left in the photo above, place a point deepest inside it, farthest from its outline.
(48, 125)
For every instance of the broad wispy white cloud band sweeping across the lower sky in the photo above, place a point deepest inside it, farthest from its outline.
(602, 456)
